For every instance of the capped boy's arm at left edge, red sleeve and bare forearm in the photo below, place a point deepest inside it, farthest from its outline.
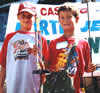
(3, 55)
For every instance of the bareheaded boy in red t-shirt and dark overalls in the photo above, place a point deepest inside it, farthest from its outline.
(65, 73)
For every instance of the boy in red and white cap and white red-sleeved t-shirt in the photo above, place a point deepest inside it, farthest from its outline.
(18, 55)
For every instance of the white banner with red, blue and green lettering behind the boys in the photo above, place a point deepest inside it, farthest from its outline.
(51, 29)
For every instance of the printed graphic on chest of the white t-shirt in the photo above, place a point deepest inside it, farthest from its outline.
(21, 49)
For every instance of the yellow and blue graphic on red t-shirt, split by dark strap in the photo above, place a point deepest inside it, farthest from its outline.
(62, 59)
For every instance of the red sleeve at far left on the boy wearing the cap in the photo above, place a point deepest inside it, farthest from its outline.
(3, 53)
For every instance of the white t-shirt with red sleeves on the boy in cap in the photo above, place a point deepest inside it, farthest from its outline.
(20, 64)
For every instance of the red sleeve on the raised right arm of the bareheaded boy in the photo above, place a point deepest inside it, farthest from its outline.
(84, 56)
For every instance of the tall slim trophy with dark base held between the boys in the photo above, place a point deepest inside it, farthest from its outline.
(38, 37)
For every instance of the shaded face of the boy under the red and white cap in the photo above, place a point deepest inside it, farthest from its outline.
(26, 20)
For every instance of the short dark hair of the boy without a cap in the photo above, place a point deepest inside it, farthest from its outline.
(69, 7)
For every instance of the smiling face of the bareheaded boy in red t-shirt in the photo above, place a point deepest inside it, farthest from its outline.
(67, 21)
